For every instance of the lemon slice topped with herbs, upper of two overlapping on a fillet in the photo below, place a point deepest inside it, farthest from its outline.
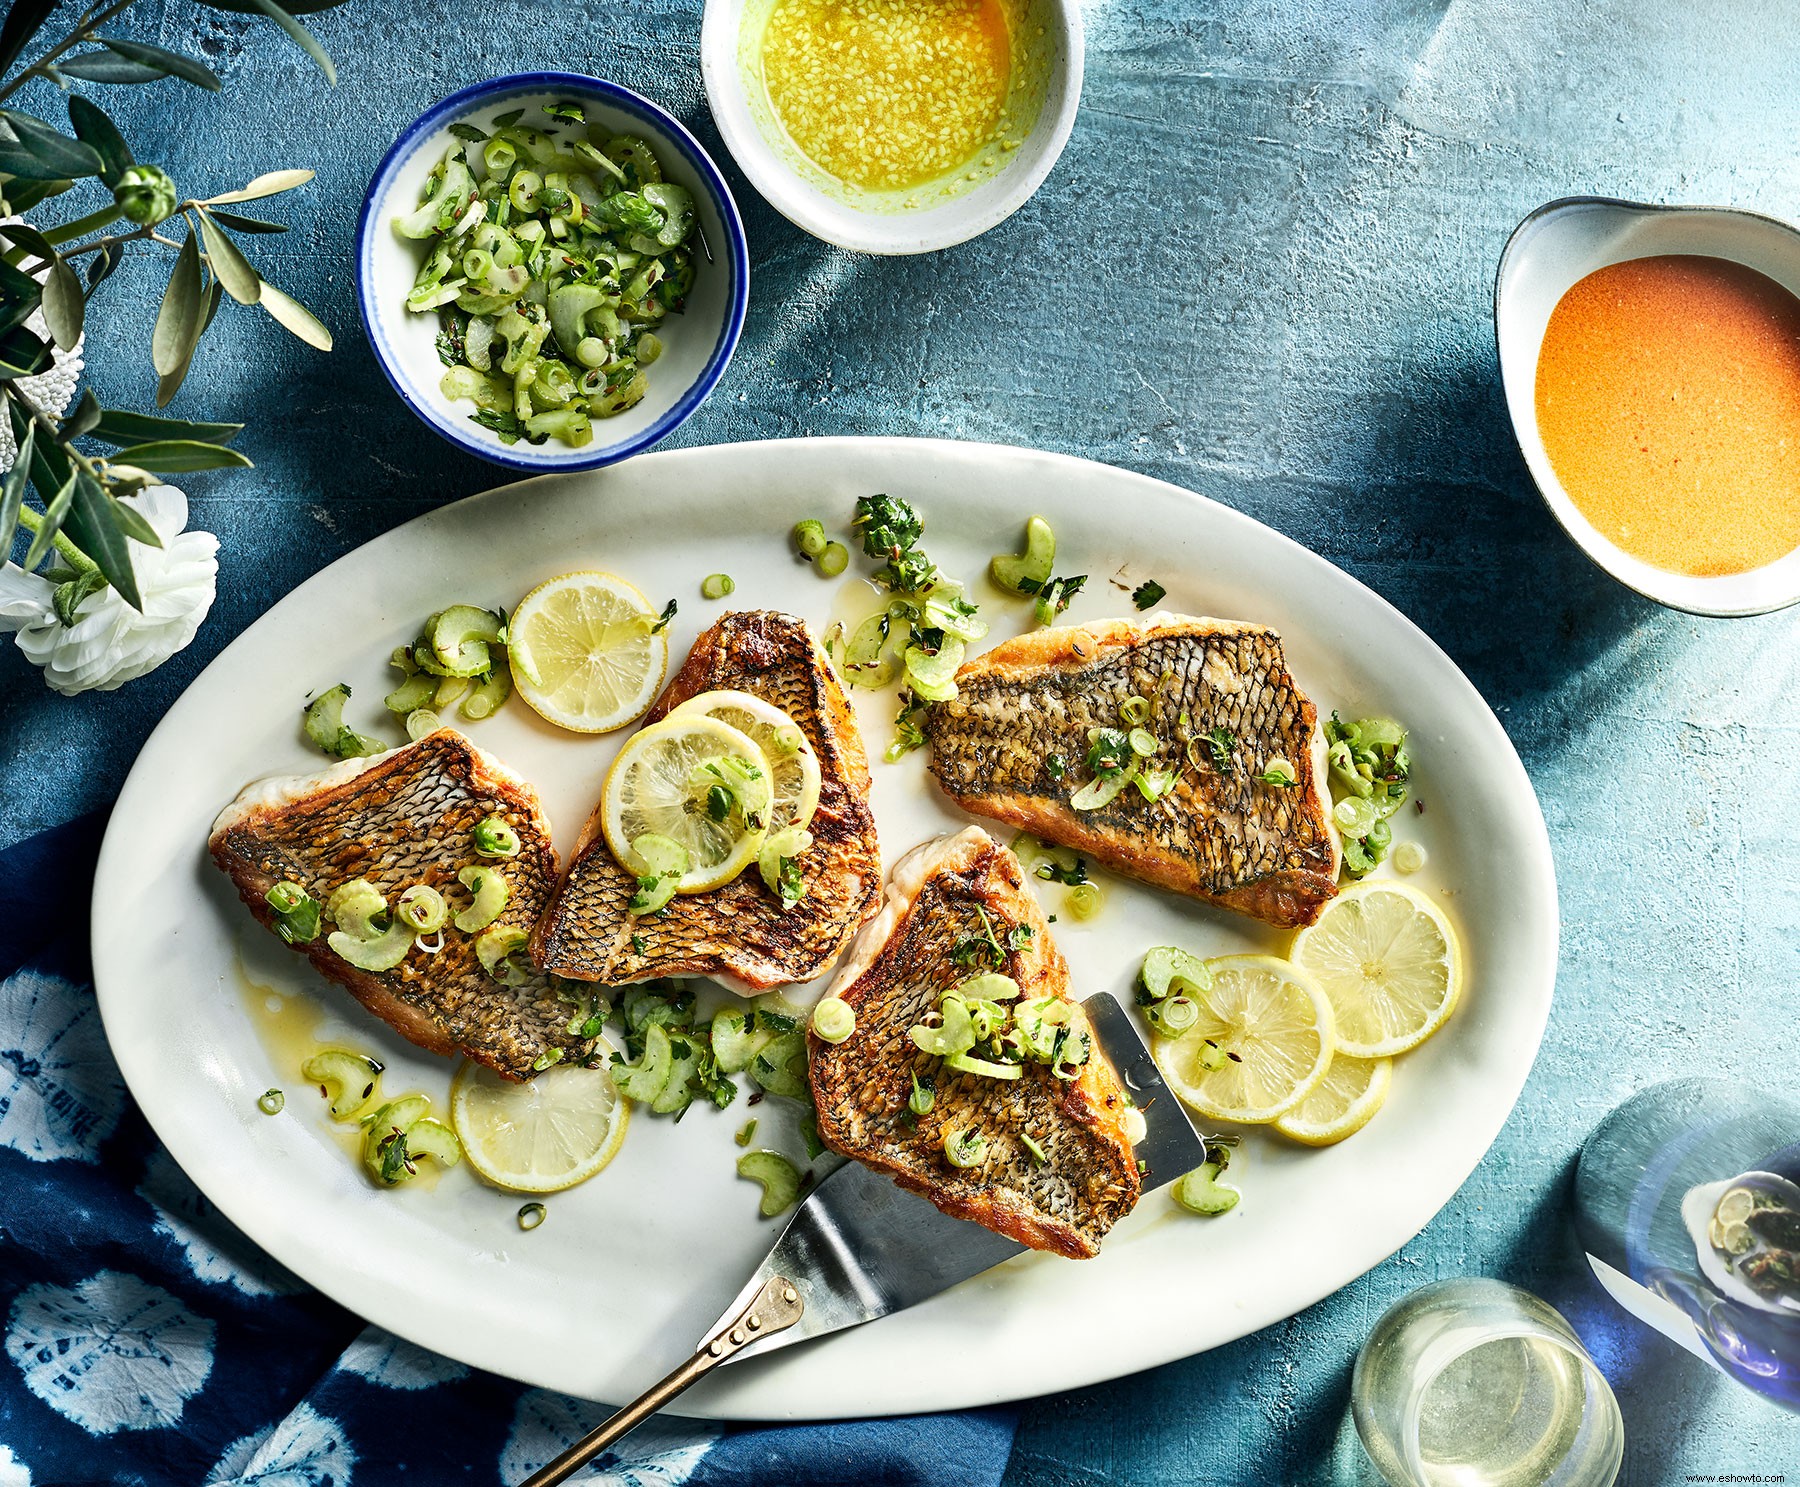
(663, 786)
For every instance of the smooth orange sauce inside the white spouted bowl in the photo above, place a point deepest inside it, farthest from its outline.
(1669, 406)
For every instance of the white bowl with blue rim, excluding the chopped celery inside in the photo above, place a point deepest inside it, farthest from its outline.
(697, 345)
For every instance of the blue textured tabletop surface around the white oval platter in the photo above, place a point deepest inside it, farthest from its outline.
(1263, 271)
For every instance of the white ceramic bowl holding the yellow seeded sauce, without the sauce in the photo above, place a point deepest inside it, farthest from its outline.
(809, 199)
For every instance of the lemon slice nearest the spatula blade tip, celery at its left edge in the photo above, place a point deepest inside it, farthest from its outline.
(1263, 1041)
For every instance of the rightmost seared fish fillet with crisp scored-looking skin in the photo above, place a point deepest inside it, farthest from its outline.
(1014, 746)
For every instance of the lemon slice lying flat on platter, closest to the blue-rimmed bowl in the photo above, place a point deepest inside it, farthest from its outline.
(584, 654)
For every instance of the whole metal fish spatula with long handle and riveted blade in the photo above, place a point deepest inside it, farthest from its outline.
(861, 1248)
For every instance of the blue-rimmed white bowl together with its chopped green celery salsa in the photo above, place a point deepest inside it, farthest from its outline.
(552, 271)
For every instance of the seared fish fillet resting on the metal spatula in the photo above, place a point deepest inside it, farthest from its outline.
(895, 975)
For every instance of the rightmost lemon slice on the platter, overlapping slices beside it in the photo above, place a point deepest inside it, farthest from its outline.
(1390, 964)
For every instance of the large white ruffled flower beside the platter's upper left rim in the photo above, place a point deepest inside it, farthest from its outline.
(111, 644)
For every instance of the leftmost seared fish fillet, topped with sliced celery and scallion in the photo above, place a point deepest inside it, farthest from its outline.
(399, 820)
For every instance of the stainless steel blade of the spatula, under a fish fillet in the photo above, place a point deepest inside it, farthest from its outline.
(861, 1247)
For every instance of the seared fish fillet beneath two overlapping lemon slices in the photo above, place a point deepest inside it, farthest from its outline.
(739, 933)
